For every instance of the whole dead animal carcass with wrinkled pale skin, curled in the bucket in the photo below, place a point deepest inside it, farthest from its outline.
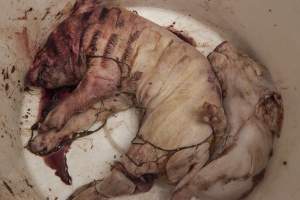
(124, 60)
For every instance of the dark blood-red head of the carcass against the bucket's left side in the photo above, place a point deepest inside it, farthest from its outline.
(55, 65)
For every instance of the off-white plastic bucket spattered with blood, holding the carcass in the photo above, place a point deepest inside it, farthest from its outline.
(266, 29)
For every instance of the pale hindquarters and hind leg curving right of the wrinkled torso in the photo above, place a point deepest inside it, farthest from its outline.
(254, 112)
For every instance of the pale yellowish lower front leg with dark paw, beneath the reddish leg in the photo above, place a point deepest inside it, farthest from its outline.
(46, 143)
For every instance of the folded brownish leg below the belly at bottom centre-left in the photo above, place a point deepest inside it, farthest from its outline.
(135, 173)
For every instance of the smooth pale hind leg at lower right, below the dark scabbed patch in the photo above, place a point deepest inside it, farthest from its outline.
(232, 175)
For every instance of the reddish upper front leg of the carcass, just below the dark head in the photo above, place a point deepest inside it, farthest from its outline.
(100, 82)
